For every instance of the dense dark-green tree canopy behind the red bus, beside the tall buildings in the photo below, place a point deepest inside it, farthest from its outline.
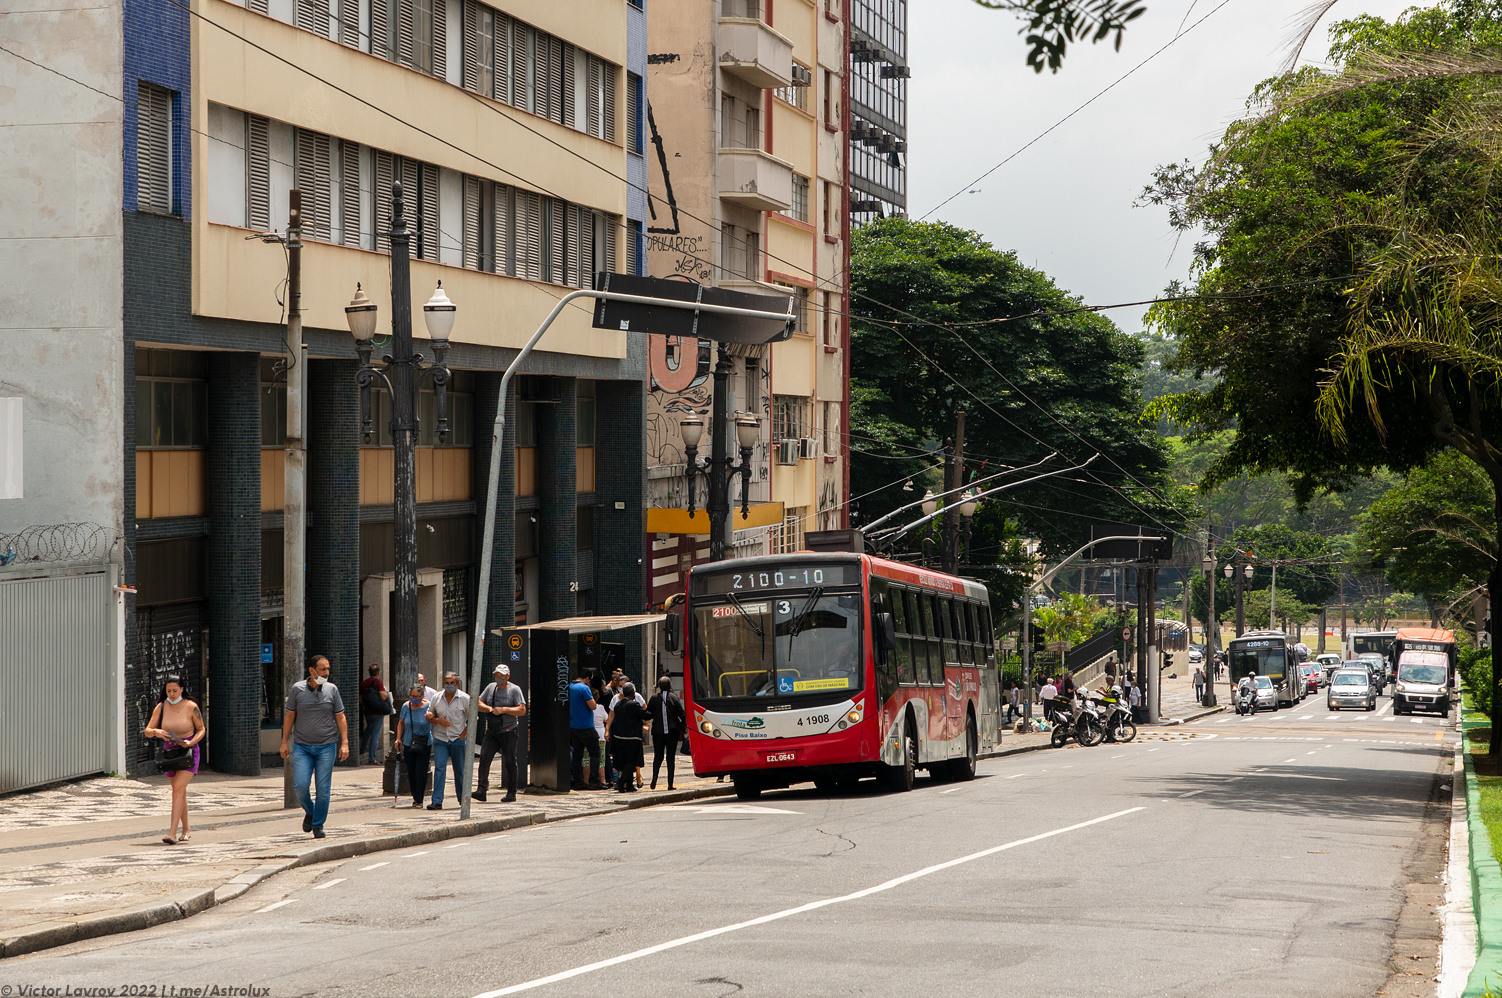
(947, 324)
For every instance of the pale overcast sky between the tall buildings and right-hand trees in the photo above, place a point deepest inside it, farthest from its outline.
(1066, 205)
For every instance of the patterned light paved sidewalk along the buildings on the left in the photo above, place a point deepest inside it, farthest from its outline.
(86, 859)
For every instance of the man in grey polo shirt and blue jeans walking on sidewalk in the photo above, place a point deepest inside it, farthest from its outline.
(315, 725)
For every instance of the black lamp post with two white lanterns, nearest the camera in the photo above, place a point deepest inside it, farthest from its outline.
(402, 373)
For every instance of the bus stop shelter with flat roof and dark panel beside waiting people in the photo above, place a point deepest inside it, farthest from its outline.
(544, 659)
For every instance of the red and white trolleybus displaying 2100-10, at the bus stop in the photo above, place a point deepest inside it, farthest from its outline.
(837, 667)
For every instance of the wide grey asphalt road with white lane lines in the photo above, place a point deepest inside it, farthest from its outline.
(1231, 857)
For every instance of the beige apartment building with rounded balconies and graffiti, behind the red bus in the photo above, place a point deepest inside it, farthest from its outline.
(747, 160)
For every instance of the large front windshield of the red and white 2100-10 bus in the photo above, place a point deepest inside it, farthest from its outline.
(777, 646)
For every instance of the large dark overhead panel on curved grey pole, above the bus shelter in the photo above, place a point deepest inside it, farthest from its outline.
(689, 322)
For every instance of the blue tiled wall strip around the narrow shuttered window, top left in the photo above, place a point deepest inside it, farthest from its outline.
(158, 52)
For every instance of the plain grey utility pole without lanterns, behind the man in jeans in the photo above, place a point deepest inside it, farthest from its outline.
(295, 507)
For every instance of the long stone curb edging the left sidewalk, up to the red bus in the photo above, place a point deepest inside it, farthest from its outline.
(190, 903)
